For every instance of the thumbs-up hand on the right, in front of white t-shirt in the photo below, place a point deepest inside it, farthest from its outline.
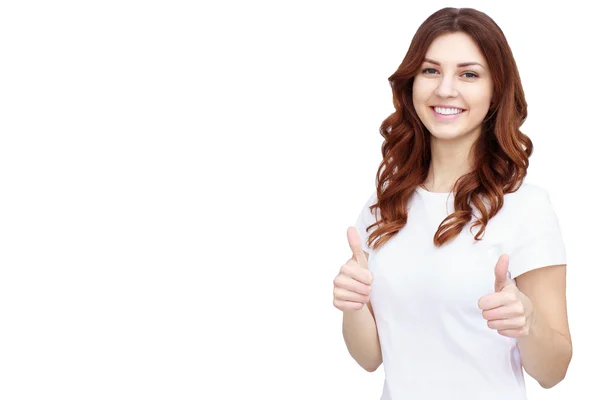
(507, 310)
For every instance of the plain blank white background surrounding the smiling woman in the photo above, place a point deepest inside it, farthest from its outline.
(177, 178)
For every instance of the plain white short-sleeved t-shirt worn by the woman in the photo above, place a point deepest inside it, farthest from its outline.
(434, 340)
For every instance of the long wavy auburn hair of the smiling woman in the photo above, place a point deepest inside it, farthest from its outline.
(500, 156)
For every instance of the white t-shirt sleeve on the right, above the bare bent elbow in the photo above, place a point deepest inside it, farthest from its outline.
(539, 242)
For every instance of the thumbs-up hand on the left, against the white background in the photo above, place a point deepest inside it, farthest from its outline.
(352, 285)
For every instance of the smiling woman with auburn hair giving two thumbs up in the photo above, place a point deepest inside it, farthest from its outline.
(462, 266)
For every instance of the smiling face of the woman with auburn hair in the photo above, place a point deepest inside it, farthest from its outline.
(464, 92)
